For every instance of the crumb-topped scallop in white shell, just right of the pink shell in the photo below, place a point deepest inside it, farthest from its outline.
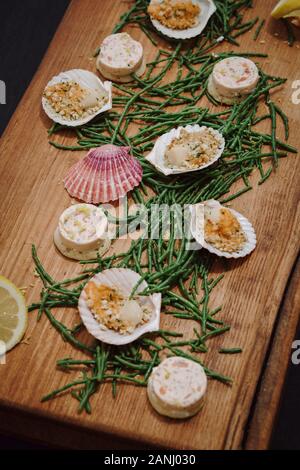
(172, 151)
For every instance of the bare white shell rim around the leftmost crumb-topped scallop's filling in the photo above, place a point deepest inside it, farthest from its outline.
(87, 80)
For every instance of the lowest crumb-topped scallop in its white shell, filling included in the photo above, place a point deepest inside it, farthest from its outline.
(110, 315)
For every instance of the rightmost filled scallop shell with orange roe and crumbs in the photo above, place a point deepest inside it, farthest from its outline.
(221, 230)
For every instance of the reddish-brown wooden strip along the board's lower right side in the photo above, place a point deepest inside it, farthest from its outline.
(267, 398)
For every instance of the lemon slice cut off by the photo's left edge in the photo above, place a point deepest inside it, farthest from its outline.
(13, 314)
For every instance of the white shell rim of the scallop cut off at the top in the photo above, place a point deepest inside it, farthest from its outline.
(207, 7)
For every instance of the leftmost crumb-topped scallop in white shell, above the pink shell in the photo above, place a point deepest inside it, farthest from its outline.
(75, 97)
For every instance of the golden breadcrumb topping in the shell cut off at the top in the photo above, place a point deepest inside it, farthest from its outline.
(175, 14)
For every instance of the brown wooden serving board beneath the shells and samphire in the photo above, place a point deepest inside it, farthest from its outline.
(32, 198)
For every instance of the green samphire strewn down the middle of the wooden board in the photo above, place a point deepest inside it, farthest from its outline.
(166, 263)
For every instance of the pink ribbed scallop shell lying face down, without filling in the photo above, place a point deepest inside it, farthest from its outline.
(105, 174)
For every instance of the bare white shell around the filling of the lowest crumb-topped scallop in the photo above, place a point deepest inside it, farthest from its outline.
(123, 280)
